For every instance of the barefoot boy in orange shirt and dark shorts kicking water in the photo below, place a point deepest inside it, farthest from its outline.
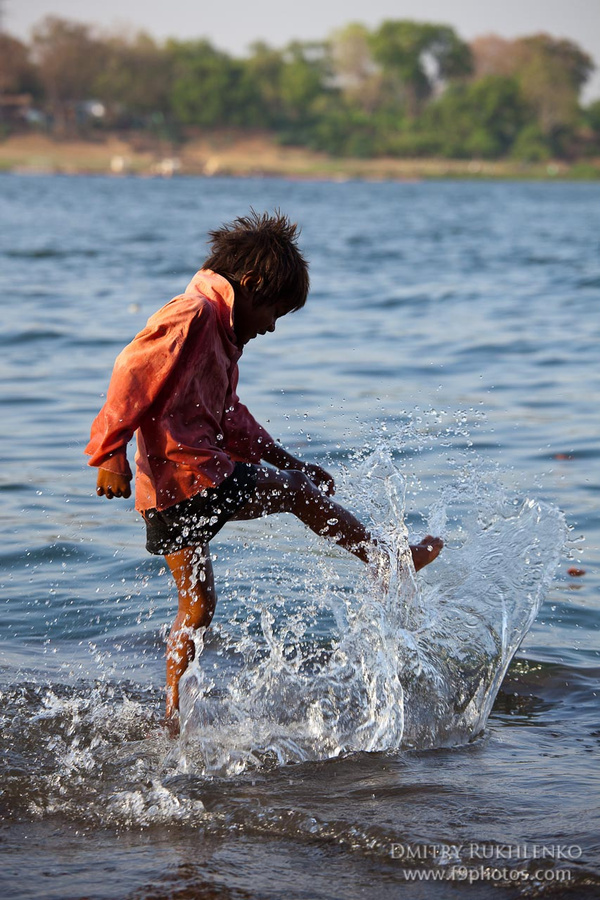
(199, 450)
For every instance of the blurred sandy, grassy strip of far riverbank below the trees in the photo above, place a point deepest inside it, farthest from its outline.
(235, 154)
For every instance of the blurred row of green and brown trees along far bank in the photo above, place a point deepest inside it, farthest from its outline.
(404, 88)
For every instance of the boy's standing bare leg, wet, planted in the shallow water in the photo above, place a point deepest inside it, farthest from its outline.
(192, 570)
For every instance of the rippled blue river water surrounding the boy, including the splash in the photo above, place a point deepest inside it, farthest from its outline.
(339, 740)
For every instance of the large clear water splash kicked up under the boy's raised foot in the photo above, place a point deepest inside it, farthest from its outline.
(412, 663)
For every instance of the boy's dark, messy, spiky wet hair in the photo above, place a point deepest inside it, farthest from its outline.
(266, 246)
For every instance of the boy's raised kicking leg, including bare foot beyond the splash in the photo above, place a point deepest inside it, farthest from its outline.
(292, 491)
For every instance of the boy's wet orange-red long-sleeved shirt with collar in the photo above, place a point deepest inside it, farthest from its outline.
(175, 386)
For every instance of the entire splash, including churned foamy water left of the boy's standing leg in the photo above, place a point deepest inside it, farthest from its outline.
(313, 663)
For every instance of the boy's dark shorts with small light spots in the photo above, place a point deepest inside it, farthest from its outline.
(196, 521)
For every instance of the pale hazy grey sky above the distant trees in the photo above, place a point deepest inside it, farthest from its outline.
(235, 24)
